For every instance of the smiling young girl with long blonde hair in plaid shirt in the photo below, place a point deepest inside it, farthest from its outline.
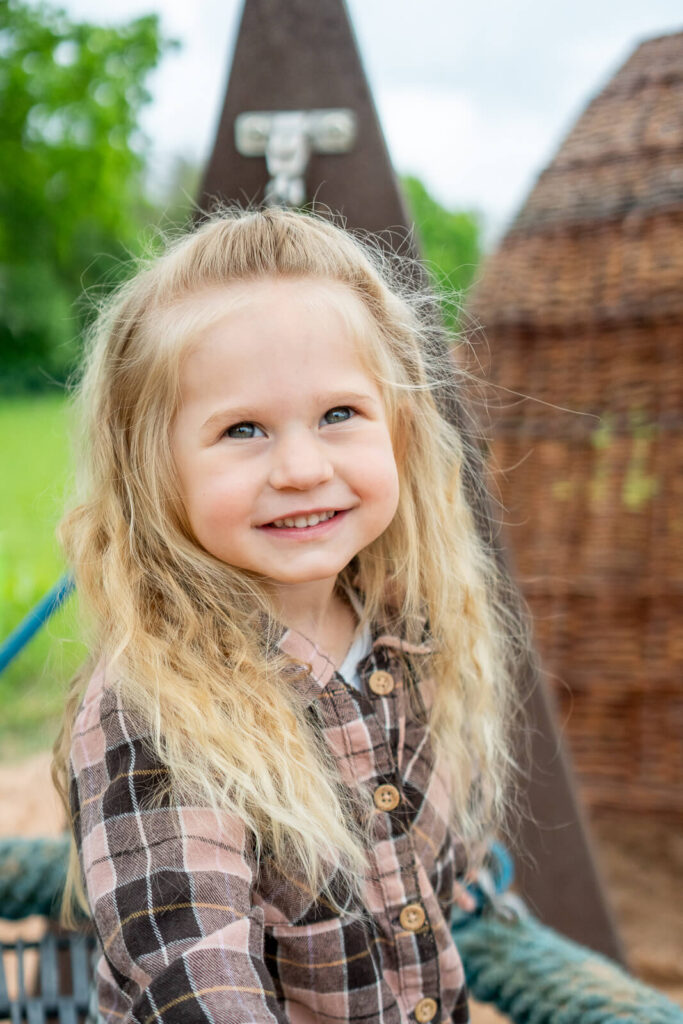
(294, 730)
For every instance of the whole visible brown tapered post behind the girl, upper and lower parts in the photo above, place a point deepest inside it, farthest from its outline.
(303, 55)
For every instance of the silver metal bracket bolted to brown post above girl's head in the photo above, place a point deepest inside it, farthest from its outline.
(287, 140)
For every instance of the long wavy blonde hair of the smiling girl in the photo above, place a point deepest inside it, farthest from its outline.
(176, 622)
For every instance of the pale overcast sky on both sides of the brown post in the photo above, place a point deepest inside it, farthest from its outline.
(475, 98)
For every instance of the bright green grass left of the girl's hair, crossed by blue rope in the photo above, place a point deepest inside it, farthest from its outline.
(35, 477)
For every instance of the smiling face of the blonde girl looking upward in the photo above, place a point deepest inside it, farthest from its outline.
(281, 425)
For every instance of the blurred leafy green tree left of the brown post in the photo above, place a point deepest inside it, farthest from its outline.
(72, 161)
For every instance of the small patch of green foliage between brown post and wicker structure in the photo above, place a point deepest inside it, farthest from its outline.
(451, 243)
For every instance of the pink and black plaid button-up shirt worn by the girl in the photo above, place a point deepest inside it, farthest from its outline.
(189, 933)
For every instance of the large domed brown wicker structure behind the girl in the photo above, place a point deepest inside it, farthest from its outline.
(582, 306)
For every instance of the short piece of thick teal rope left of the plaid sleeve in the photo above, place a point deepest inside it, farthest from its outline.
(32, 877)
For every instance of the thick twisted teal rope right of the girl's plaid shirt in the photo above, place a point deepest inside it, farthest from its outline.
(536, 976)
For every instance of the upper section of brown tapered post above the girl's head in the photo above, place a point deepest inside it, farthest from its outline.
(303, 55)
